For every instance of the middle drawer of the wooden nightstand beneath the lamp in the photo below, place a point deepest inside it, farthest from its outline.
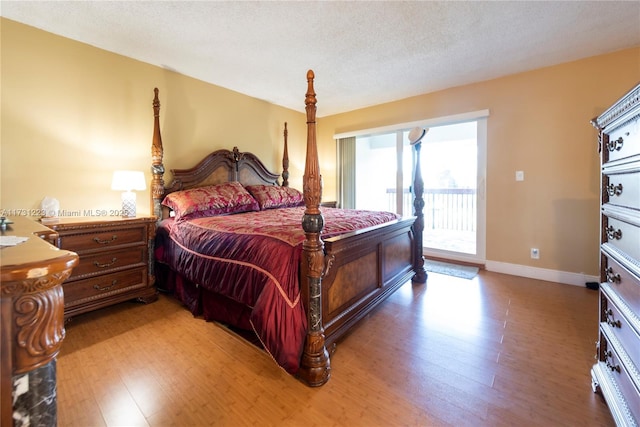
(103, 262)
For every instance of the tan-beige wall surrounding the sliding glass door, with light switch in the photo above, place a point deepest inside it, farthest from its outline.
(538, 123)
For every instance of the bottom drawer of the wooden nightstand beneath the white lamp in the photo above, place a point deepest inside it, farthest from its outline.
(96, 288)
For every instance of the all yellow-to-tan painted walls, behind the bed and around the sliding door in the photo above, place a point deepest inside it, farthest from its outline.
(71, 114)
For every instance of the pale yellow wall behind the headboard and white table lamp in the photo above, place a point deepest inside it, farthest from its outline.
(72, 114)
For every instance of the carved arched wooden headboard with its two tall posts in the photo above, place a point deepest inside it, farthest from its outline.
(216, 168)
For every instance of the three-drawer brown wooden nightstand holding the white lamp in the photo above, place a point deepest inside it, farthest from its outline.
(115, 261)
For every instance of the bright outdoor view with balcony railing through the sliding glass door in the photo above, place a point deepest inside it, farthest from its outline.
(450, 156)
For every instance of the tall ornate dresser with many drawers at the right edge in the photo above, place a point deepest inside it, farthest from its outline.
(616, 373)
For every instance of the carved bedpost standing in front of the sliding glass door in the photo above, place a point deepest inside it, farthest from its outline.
(420, 276)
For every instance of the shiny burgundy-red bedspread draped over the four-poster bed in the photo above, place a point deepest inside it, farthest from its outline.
(253, 258)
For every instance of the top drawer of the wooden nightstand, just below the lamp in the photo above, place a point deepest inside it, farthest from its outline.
(96, 239)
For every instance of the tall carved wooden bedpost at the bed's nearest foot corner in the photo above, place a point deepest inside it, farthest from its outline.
(315, 367)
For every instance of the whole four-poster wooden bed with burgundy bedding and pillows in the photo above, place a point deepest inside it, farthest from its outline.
(319, 279)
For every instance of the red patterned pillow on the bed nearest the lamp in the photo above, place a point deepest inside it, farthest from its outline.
(227, 198)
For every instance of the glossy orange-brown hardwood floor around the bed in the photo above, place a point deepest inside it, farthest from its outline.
(497, 350)
